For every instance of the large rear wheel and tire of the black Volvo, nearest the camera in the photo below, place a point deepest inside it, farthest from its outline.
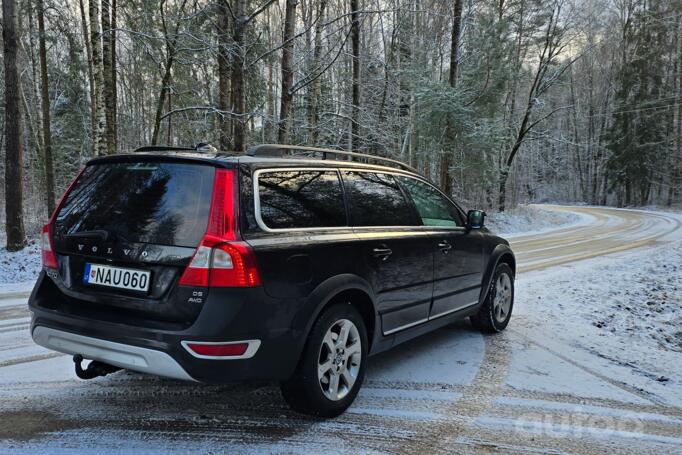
(338, 362)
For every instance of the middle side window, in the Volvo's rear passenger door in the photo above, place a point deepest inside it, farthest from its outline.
(376, 200)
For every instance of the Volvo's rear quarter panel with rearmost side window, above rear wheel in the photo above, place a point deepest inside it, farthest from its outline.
(295, 220)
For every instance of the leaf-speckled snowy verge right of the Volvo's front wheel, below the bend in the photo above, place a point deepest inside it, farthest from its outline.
(626, 309)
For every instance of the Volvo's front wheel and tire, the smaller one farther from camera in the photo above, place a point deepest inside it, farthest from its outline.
(494, 314)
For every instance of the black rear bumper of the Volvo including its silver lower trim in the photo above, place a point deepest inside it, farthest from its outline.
(228, 315)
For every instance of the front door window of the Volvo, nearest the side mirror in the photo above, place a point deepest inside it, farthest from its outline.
(434, 209)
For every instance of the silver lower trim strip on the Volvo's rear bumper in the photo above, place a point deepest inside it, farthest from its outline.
(121, 355)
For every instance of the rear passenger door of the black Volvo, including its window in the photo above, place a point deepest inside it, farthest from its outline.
(397, 253)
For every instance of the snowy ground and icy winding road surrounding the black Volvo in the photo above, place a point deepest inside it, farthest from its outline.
(591, 363)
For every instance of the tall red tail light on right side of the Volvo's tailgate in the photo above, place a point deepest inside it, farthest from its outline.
(222, 260)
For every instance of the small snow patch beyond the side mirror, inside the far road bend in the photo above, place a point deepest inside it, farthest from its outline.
(526, 219)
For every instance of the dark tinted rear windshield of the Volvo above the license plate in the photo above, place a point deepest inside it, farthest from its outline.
(146, 202)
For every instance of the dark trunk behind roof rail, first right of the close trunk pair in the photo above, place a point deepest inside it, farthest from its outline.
(287, 70)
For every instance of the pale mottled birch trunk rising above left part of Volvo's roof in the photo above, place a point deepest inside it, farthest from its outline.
(100, 142)
